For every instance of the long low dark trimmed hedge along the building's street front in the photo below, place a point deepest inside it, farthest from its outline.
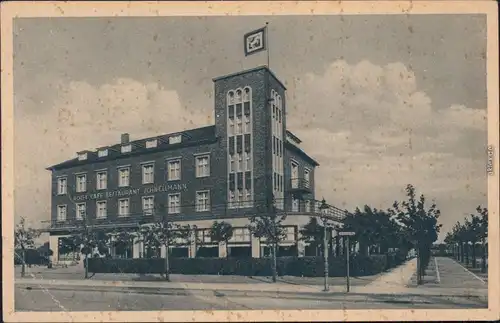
(286, 266)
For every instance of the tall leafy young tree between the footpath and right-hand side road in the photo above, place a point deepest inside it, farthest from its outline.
(420, 225)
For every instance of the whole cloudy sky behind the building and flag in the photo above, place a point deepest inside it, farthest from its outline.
(380, 101)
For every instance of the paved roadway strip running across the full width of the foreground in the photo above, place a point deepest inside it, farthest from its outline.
(55, 300)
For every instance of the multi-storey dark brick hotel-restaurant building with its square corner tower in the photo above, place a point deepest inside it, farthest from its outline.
(227, 171)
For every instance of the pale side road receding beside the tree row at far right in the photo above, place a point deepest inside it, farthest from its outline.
(453, 275)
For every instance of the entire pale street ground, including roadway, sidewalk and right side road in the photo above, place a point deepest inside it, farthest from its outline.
(450, 286)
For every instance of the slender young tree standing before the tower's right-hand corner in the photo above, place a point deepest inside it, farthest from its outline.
(266, 224)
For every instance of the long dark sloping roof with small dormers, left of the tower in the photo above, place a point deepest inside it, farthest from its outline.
(190, 137)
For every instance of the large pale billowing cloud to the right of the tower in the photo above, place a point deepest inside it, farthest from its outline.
(373, 131)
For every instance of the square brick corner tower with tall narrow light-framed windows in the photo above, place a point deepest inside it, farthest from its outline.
(250, 124)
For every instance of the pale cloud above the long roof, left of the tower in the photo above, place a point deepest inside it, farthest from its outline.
(86, 117)
